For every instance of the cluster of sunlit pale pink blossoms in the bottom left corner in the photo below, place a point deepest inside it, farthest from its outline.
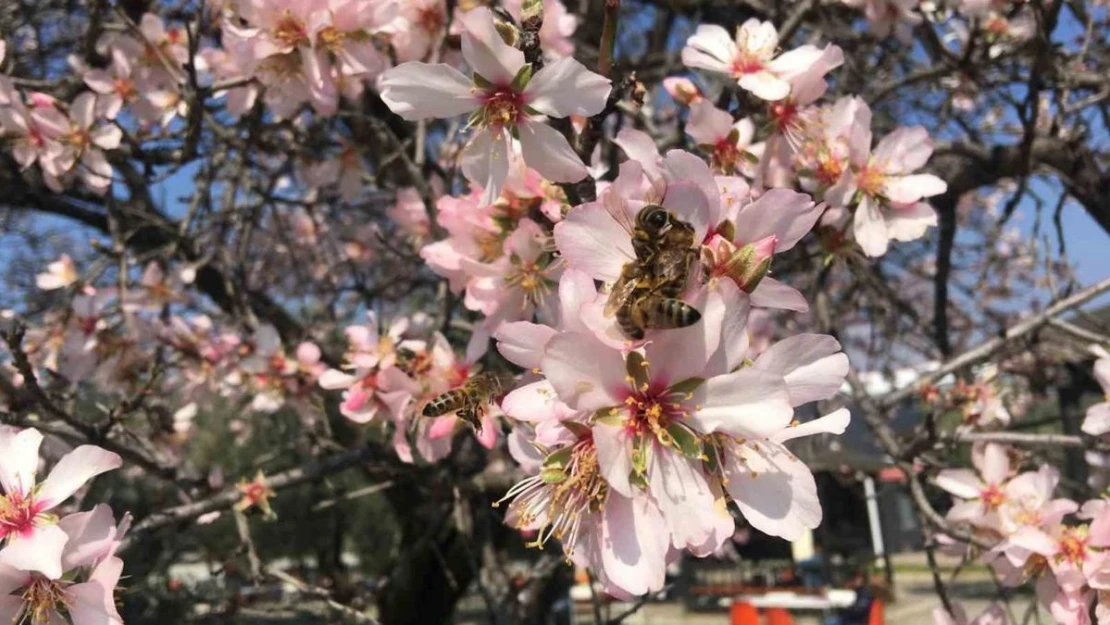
(56, 569)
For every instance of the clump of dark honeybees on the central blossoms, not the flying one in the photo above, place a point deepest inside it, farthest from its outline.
(647, 296)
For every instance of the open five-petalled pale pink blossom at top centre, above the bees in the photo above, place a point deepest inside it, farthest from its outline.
(501, 97)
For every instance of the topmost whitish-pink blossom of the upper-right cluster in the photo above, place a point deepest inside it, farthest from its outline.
(751, 58)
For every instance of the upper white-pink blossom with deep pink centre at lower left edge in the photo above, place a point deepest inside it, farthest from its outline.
(36, 542)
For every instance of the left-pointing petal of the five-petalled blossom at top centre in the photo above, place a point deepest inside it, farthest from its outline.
(417, 92)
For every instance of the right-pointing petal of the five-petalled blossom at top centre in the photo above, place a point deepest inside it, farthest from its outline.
(567, 88)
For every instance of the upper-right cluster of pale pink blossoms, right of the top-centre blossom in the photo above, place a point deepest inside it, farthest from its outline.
(828, 149)
